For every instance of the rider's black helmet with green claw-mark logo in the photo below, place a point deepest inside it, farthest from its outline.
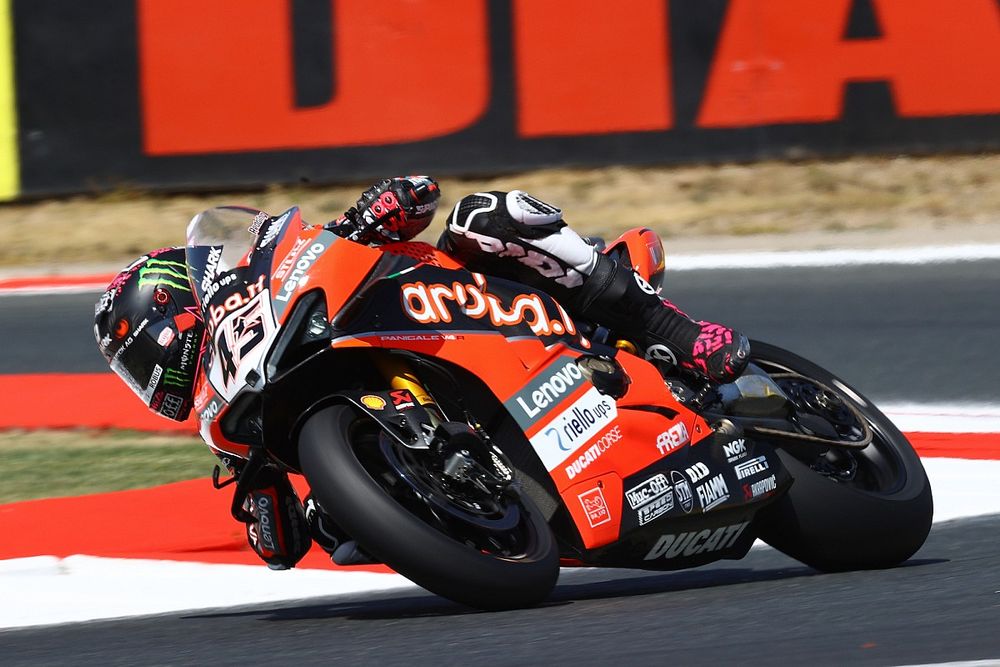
(148, 328)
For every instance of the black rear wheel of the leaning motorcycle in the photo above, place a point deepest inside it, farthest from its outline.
(847, 509)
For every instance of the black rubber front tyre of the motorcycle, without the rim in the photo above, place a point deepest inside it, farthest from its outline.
(338, 451)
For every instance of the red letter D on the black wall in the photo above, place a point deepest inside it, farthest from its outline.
(217, 74)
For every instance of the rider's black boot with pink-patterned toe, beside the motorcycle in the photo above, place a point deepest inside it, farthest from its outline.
(613, 293)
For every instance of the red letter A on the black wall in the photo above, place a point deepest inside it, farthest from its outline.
(784, 61)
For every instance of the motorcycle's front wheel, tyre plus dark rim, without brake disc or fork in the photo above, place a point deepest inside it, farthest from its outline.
(489, 553)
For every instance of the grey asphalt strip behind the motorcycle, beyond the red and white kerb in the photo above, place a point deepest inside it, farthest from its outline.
(921, 332)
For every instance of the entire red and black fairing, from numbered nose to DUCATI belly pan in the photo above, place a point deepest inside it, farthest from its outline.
(601, 469)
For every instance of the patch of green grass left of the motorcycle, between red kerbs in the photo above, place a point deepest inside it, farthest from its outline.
(47, 464)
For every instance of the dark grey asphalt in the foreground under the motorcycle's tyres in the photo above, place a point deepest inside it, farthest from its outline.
(942, 605)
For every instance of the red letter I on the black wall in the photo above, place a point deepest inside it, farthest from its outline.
(587, 68)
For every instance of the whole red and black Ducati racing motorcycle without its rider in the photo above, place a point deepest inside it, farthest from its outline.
(471, 435)
